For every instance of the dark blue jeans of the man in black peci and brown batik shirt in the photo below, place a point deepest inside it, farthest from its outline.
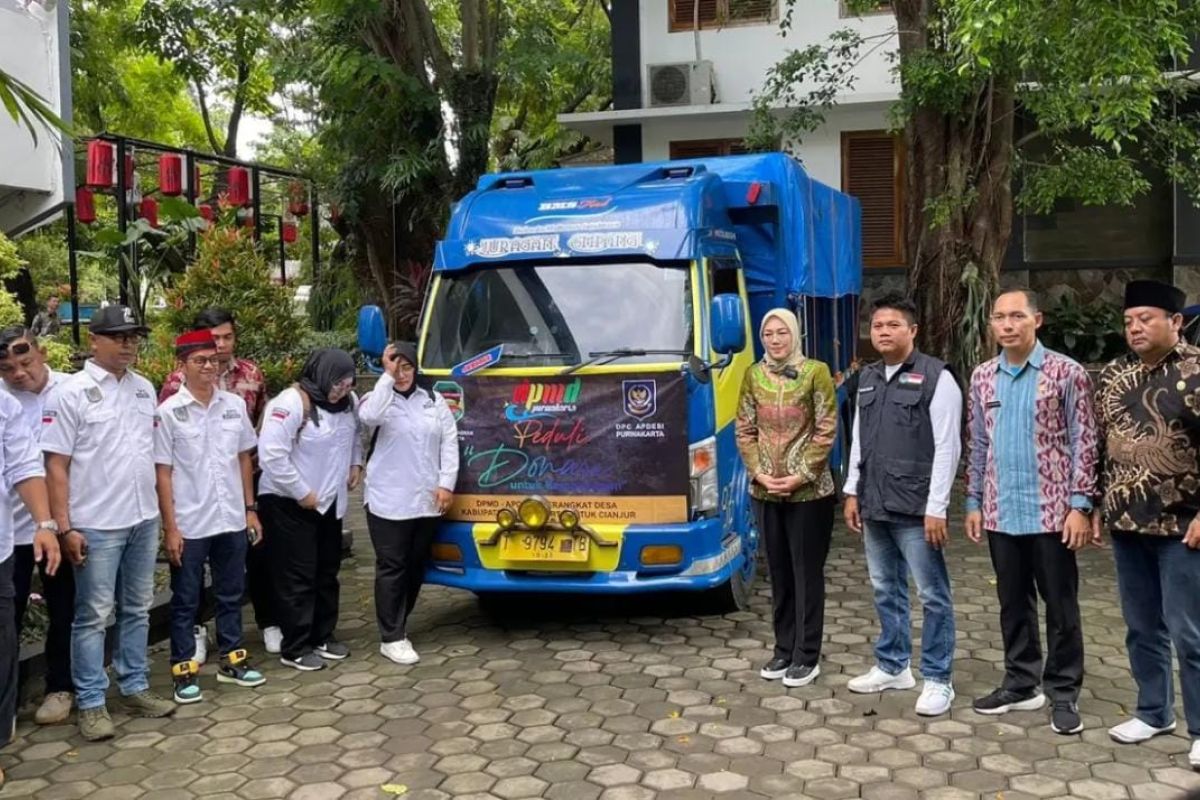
(1160, 584)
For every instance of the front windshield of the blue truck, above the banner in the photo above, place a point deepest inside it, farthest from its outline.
(557, 315)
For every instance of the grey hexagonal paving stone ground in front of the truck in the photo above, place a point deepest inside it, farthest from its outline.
(620, 701)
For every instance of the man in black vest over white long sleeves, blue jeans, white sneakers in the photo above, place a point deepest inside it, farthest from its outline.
(904, 454)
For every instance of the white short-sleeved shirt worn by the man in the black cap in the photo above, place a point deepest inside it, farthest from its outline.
(106, 426)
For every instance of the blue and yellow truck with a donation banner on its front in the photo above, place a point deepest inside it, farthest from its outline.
(591, 329)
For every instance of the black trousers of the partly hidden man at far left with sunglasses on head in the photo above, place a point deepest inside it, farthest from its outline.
(59, 594)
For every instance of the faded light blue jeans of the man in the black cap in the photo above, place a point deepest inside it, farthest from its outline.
(118, 574)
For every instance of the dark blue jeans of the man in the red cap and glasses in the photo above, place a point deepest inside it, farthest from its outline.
(226, 556)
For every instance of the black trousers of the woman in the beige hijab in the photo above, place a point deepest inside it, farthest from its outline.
(797, 540)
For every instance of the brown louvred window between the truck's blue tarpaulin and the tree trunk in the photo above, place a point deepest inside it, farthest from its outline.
(873, 171)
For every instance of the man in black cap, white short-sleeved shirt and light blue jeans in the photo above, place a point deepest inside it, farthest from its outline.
(98, 435)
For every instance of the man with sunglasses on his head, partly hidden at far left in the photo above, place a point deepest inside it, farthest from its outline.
(31, 381)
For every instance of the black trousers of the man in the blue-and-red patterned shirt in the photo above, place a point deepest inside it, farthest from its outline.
(1025, 568)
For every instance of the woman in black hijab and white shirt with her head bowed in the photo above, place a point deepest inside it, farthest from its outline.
(311, 456)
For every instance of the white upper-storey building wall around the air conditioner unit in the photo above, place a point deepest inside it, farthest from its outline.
(742, 55)
